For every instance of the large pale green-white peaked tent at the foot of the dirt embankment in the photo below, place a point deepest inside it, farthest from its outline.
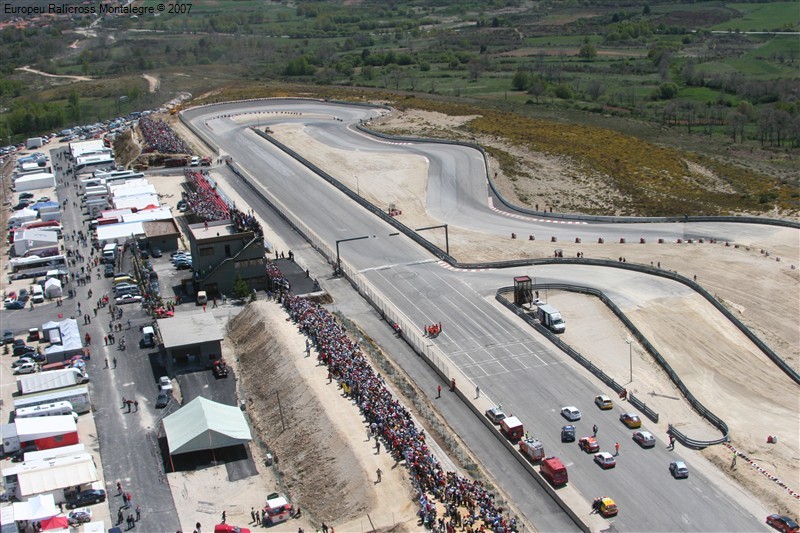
(205, 425)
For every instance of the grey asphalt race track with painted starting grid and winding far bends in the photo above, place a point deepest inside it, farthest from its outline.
(500, 354)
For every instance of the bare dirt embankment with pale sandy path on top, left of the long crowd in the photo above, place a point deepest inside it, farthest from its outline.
(330, 468)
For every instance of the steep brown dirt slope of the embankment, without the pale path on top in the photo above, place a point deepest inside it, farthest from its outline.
(324, 475)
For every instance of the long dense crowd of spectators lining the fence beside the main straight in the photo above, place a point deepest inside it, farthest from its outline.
(466, 503)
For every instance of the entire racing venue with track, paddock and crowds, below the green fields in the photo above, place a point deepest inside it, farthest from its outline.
(278, 392)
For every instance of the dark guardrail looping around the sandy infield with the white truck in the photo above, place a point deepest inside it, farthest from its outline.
(652, 415)
